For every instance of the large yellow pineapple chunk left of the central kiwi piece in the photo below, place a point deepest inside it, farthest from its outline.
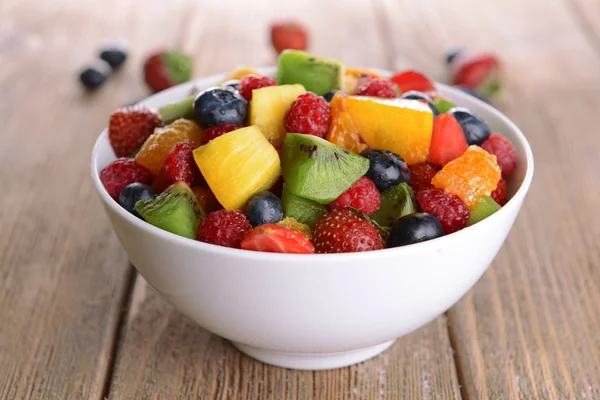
(238, 165)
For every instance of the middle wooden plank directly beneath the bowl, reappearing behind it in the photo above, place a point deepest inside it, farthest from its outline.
(164, 355)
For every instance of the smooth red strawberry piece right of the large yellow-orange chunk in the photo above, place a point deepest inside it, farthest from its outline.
(447, 140)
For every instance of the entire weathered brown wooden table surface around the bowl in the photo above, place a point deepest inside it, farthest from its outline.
(79, 323)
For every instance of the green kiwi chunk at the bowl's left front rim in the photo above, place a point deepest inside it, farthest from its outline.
(175, 210)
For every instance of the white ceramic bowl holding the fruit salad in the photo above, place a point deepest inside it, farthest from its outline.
(315, 311)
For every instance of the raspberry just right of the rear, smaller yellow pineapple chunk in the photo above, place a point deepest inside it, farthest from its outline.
(309, 114)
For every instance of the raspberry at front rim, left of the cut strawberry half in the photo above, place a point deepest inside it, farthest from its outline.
(224, 228)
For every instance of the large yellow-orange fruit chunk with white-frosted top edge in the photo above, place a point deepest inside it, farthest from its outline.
(401, 126)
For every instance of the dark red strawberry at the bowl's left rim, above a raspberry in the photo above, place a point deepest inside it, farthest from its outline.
(129, 127)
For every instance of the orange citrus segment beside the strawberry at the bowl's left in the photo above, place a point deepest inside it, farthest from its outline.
(156, 148)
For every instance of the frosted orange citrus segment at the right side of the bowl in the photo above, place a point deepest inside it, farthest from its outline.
(472, 175)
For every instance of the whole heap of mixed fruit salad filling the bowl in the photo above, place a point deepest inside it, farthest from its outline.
(315, 159)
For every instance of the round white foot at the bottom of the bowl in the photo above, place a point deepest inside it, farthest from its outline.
(312, 361)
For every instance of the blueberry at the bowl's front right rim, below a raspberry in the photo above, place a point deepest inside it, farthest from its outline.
(414, 228)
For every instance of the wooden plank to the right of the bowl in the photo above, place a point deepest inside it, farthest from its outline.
(530, 327)
